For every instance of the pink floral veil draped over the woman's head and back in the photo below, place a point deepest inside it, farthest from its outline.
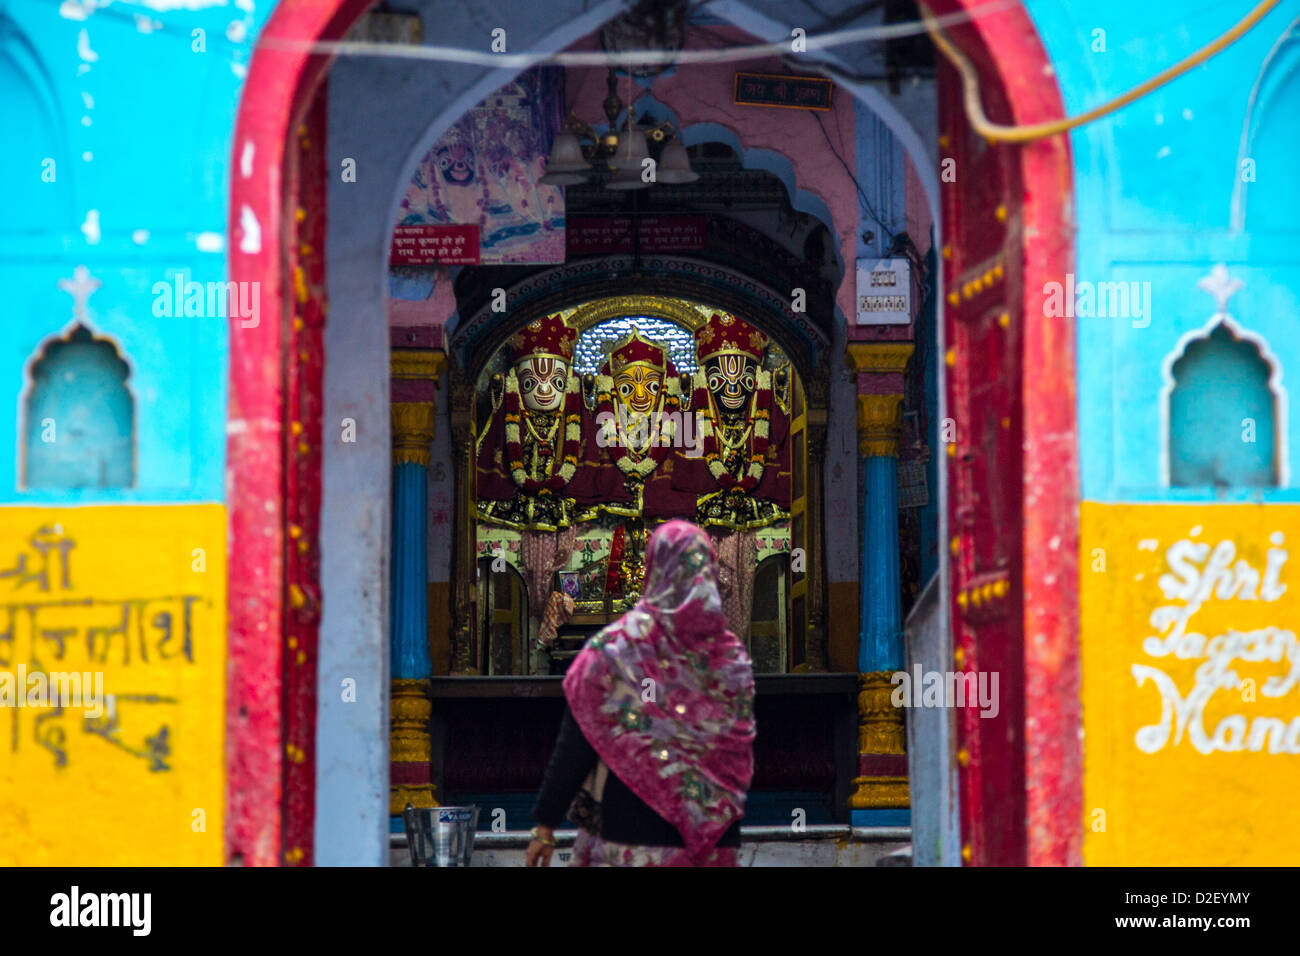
(666, 695)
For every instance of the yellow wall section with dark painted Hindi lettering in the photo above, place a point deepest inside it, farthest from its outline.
(135, 598)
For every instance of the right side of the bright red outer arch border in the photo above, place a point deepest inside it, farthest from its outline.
(1007, 50)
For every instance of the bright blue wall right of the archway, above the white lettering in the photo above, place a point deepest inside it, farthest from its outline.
(1155, 192)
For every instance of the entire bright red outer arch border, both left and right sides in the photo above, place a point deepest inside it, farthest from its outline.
(278, 93)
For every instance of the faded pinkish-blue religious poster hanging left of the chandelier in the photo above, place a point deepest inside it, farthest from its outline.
(486, 172)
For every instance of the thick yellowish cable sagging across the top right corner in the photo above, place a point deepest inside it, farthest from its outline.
(999, 133)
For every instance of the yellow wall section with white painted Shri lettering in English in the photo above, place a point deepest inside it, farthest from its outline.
(1191, 685)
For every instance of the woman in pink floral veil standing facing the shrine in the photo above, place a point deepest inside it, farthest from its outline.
(664, 699)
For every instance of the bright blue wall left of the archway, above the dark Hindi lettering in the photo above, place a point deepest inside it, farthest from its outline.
(138, 126)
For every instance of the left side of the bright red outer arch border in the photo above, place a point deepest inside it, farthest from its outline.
(276, 96)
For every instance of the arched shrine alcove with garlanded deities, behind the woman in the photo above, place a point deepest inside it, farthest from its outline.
(587, 540)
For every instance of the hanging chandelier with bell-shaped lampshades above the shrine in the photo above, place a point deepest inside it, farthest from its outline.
(580, 153)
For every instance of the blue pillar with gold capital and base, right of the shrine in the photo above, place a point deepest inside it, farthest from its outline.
(882, 782)
